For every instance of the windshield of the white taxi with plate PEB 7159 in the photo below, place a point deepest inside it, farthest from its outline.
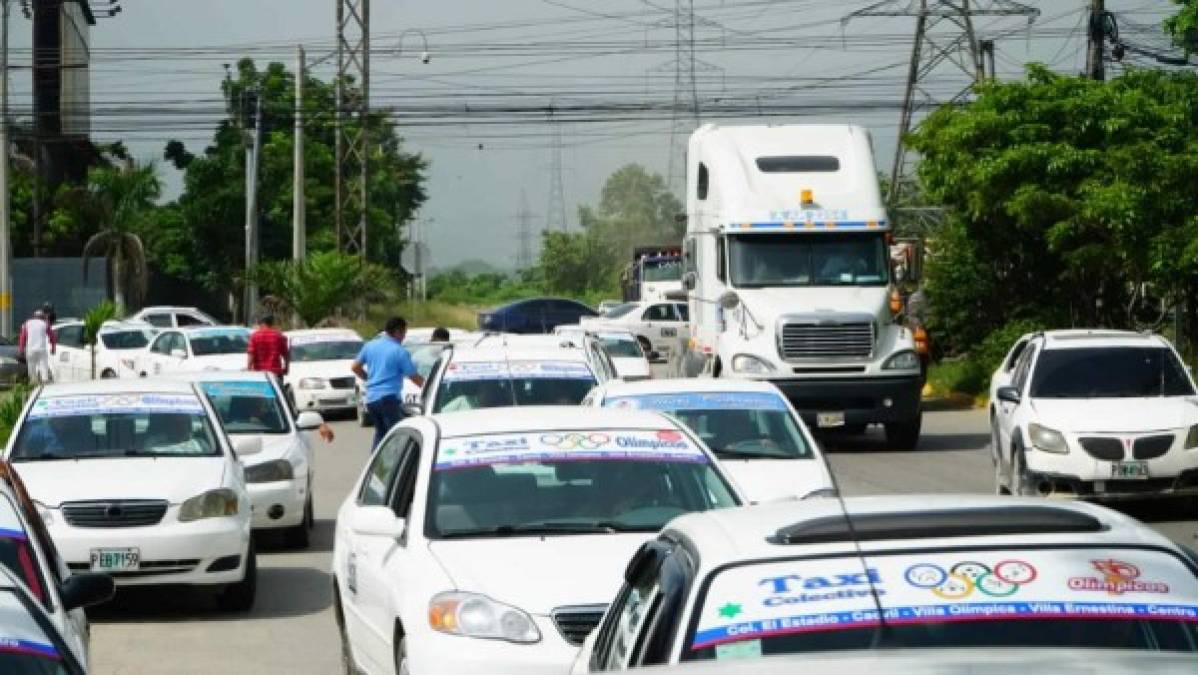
(117, 425)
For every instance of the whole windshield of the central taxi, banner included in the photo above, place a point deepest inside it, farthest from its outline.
(566, 483)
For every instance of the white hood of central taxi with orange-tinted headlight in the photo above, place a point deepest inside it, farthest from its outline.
(541, 574)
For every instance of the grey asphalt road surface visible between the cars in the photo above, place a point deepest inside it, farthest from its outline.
(292, 629)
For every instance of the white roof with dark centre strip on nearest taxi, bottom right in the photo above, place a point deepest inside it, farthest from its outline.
(745, 534)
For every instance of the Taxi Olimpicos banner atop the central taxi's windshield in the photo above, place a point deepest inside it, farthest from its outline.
(664, 445)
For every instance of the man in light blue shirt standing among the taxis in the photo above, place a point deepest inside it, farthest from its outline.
(384, 364)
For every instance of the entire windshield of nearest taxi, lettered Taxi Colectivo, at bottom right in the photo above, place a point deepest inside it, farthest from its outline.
(1085, 599)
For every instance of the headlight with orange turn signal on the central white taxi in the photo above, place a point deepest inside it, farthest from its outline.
(476, 616)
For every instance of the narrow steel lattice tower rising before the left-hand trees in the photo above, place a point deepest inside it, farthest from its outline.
(353, 114)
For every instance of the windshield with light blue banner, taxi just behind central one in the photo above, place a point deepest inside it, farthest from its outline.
(734, 425)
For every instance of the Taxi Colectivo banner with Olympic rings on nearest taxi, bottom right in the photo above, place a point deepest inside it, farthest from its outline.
(757, 602)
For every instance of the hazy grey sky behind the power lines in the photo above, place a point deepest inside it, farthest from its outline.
(529, 53)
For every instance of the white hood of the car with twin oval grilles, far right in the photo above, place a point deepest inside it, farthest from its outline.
(1116, 415)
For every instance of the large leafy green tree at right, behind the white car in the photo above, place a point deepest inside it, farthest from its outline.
(1070, 202)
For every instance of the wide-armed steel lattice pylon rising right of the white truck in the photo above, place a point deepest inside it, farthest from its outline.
(945, 41)
